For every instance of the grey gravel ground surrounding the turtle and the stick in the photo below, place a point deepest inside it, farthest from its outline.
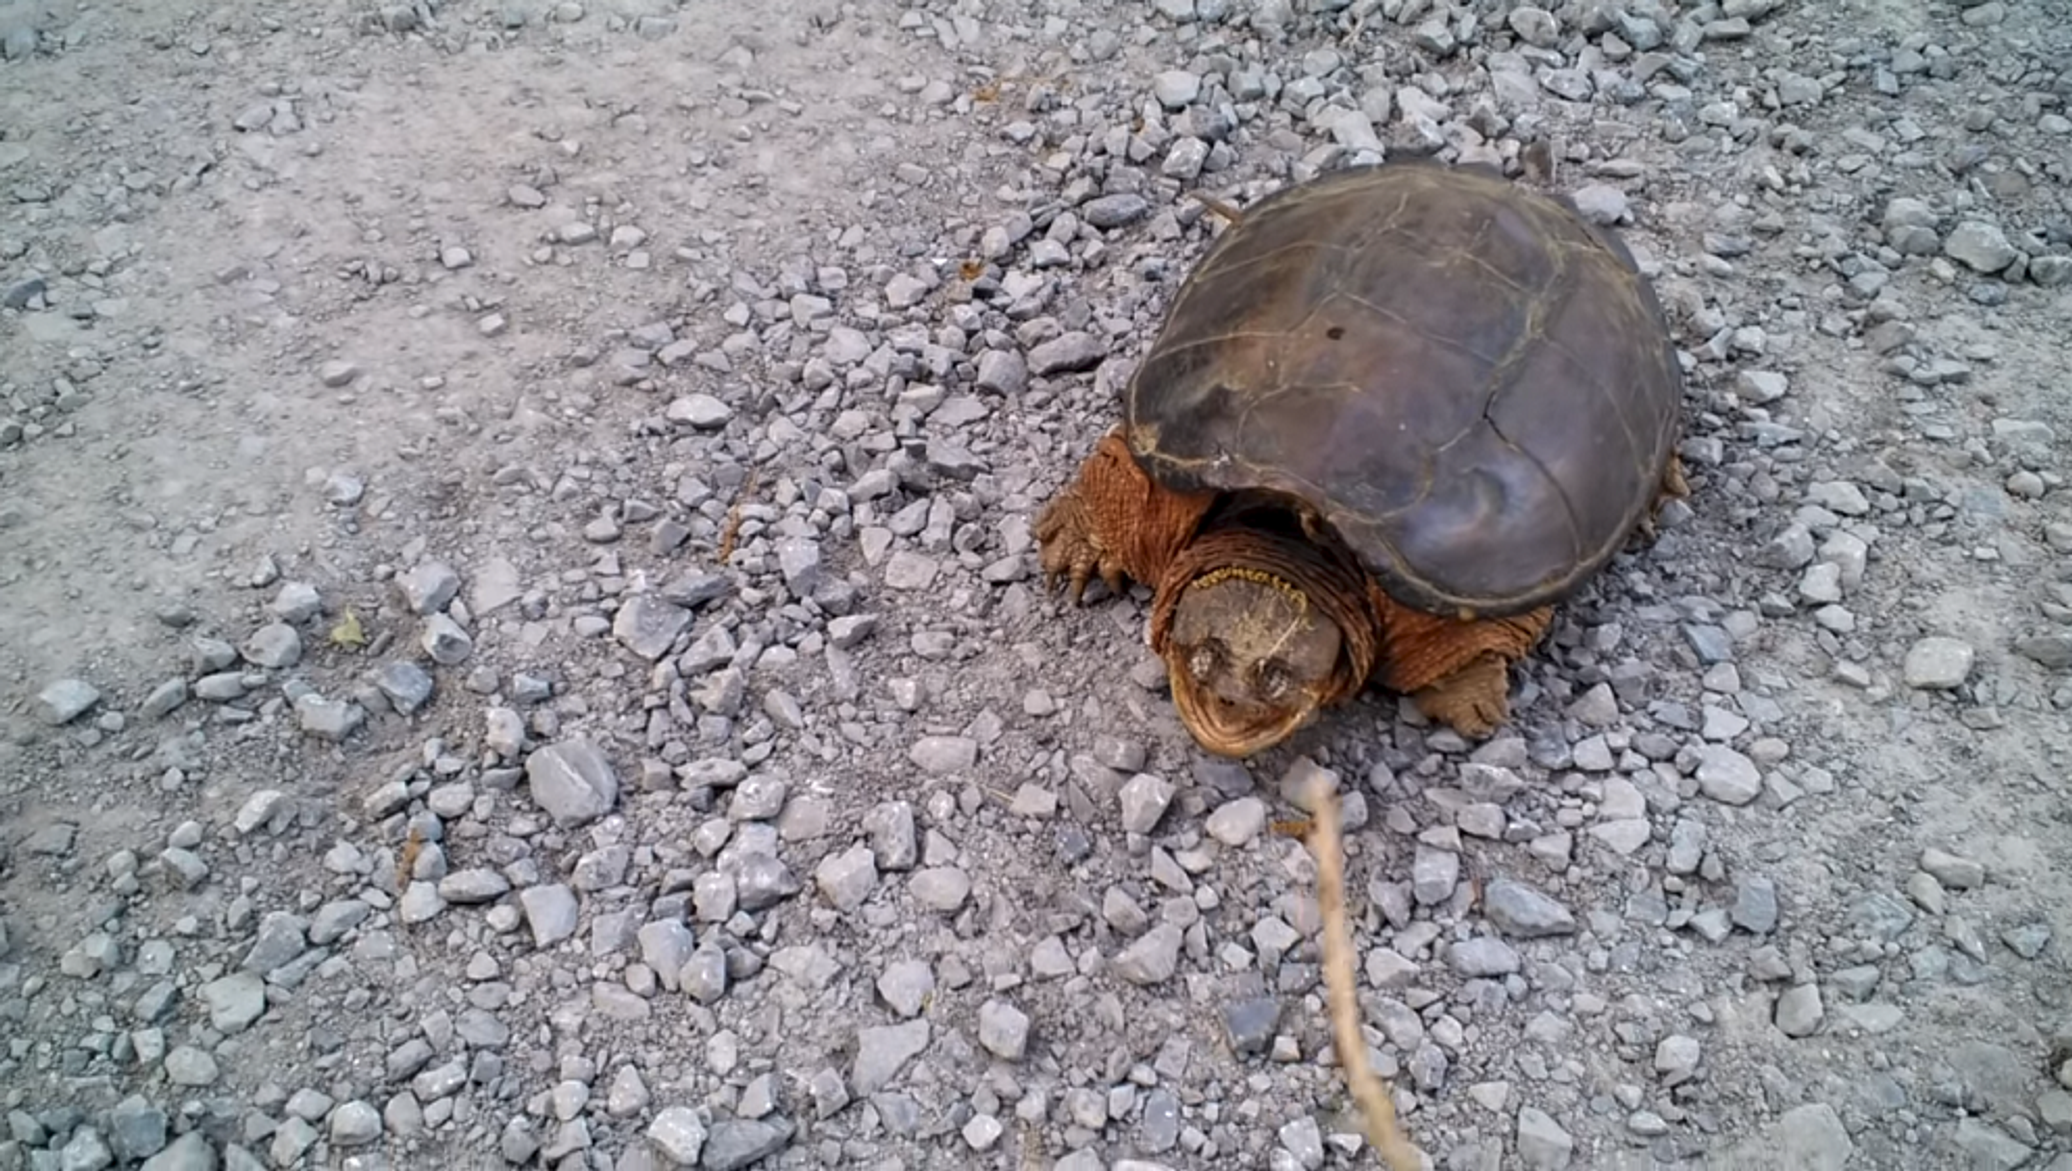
(523, 646)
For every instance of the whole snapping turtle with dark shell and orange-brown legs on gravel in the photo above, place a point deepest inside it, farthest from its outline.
(1393, 418)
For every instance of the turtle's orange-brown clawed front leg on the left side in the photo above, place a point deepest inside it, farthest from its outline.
(1114, 523)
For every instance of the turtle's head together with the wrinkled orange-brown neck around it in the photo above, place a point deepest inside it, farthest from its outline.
(1261, 627)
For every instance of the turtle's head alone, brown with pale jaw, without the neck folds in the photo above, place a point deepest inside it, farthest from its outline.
(1250, 658)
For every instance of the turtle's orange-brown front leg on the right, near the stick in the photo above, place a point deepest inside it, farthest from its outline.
(1456, 670)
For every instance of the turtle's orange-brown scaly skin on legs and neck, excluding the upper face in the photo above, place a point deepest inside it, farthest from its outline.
(1116, 523)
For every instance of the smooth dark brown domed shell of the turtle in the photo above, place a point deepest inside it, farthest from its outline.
(1464, 378)
